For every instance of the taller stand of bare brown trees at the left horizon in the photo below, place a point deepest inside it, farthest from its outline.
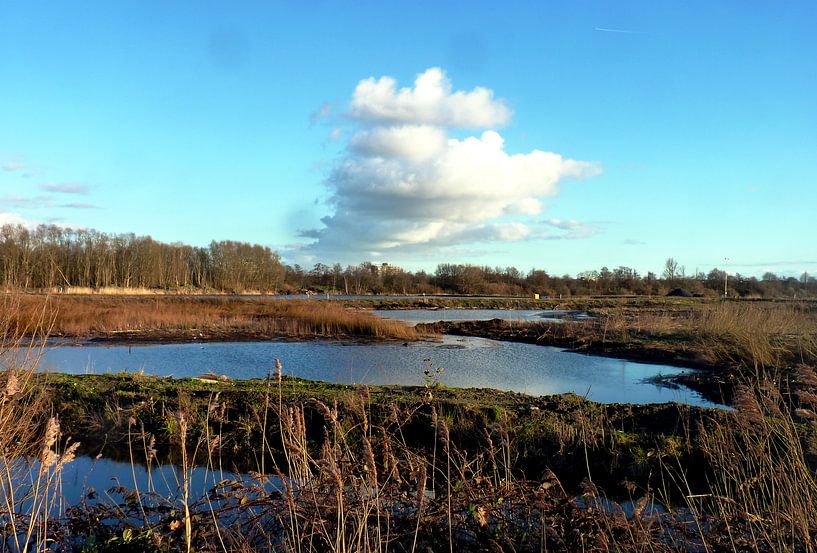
(50, 257)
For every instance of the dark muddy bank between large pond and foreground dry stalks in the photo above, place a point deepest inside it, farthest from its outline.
(119, 415)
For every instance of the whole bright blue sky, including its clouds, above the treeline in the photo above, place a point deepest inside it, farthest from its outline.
(618, 133)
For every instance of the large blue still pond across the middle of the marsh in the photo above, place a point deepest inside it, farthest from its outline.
(467, 363)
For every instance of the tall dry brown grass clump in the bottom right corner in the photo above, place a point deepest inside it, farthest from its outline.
(763, 490)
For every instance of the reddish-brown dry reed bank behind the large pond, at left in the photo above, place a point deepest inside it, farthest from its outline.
(175, 318)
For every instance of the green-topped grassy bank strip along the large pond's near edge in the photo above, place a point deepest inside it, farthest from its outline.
(96, 410)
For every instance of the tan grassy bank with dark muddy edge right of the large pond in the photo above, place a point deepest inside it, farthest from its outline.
(731, 341)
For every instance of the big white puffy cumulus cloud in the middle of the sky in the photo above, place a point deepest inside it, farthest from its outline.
(404, 184)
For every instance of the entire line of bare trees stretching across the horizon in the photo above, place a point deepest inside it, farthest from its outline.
(50, 257)
